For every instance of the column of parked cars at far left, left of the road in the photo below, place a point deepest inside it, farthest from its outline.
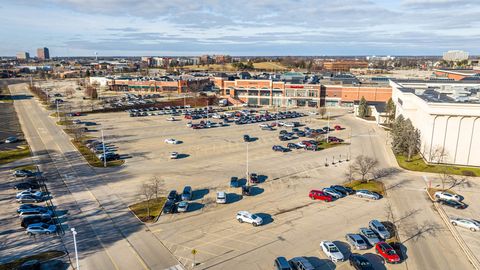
(36, 219)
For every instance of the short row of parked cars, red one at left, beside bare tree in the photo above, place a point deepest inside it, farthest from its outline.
(337, 191)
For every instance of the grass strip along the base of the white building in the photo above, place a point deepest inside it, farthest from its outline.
(418, 164)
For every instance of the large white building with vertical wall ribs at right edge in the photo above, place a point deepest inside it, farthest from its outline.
(447, 115)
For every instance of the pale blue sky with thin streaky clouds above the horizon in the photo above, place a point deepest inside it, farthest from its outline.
(248, 27)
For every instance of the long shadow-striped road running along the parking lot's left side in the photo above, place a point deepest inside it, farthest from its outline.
(109, 236)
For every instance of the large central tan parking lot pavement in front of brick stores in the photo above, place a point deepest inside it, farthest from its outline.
(294, 224)
